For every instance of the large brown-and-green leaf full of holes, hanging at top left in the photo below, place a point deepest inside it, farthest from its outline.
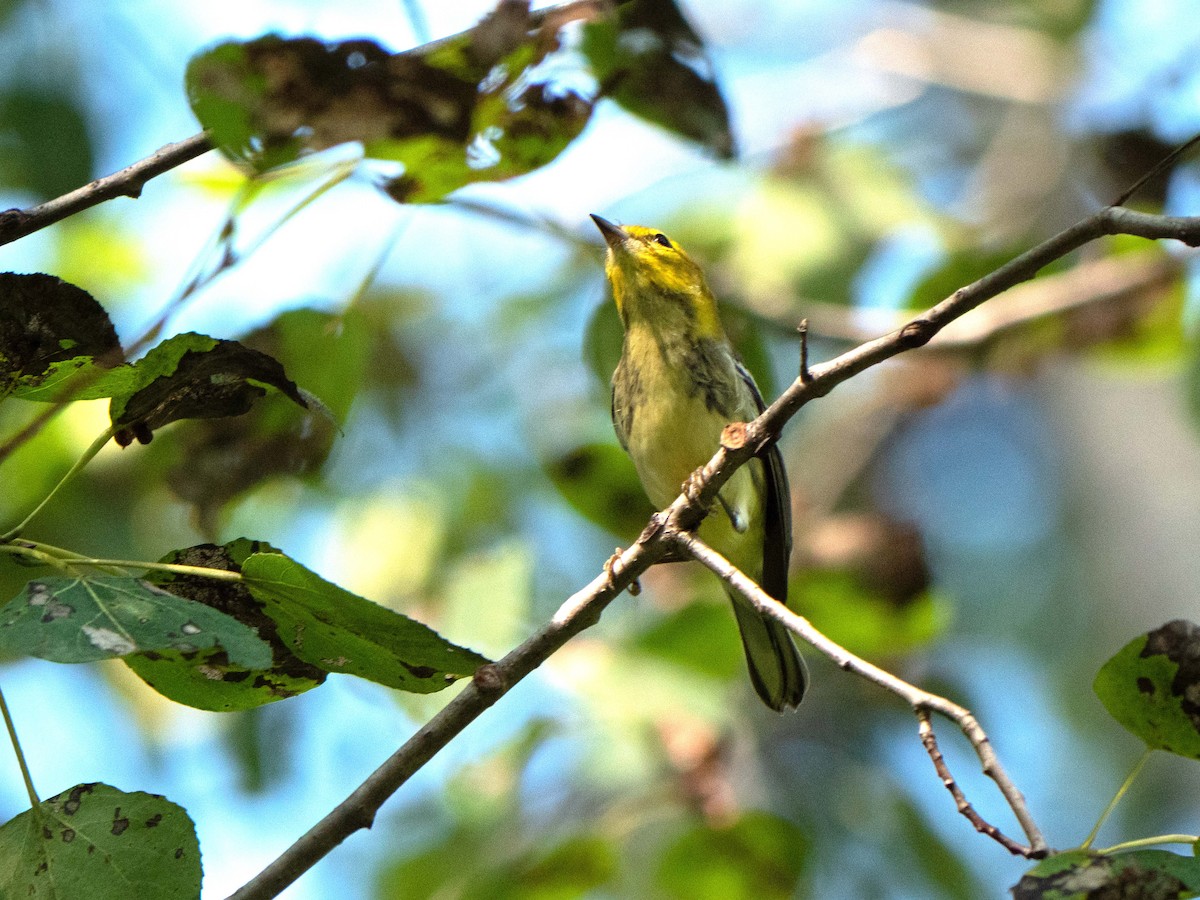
(476, 109)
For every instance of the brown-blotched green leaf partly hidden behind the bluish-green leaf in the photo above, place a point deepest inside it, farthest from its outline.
(209, 680)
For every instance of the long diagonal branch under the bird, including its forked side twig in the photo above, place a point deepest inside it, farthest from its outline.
(665, 532)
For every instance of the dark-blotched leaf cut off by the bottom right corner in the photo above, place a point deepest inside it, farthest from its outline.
(1079, 875)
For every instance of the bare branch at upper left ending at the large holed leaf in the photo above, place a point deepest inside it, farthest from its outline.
(16, 224)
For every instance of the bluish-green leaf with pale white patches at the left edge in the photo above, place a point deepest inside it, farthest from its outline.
(83, 620)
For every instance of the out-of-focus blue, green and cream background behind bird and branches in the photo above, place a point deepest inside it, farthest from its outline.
(992, 518)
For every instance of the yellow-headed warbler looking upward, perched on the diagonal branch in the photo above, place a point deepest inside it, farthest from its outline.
(677, 386)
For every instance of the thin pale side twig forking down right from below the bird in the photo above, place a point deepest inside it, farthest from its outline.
(922, 703)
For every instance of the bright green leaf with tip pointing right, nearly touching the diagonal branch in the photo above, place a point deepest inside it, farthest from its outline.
(340, 632)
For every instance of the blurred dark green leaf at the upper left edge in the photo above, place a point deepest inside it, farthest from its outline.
(45, 146)
